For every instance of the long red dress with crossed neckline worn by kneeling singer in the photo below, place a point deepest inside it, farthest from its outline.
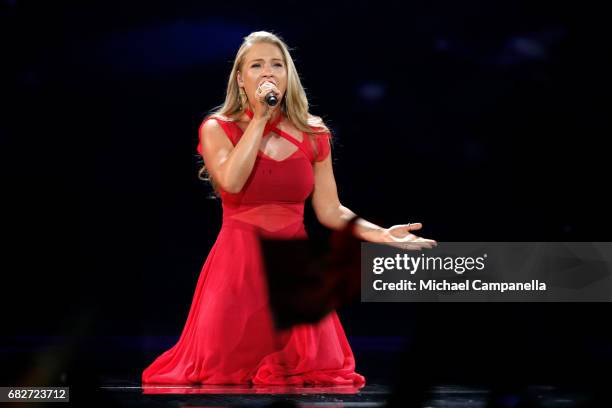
(229, 336)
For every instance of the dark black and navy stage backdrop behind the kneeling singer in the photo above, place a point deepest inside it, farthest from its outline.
(485, 121)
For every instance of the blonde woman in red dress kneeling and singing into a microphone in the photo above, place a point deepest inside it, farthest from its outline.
(264, 162)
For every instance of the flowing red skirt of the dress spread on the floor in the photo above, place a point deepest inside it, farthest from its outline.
(229, 336)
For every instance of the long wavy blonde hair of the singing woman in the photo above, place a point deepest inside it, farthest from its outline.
(294, 103)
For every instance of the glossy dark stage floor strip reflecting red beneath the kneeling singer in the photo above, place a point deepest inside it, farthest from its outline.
(131, 394)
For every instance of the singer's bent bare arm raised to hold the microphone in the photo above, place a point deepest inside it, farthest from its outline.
(230, 166)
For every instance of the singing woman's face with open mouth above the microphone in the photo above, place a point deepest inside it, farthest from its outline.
(262, 62)
